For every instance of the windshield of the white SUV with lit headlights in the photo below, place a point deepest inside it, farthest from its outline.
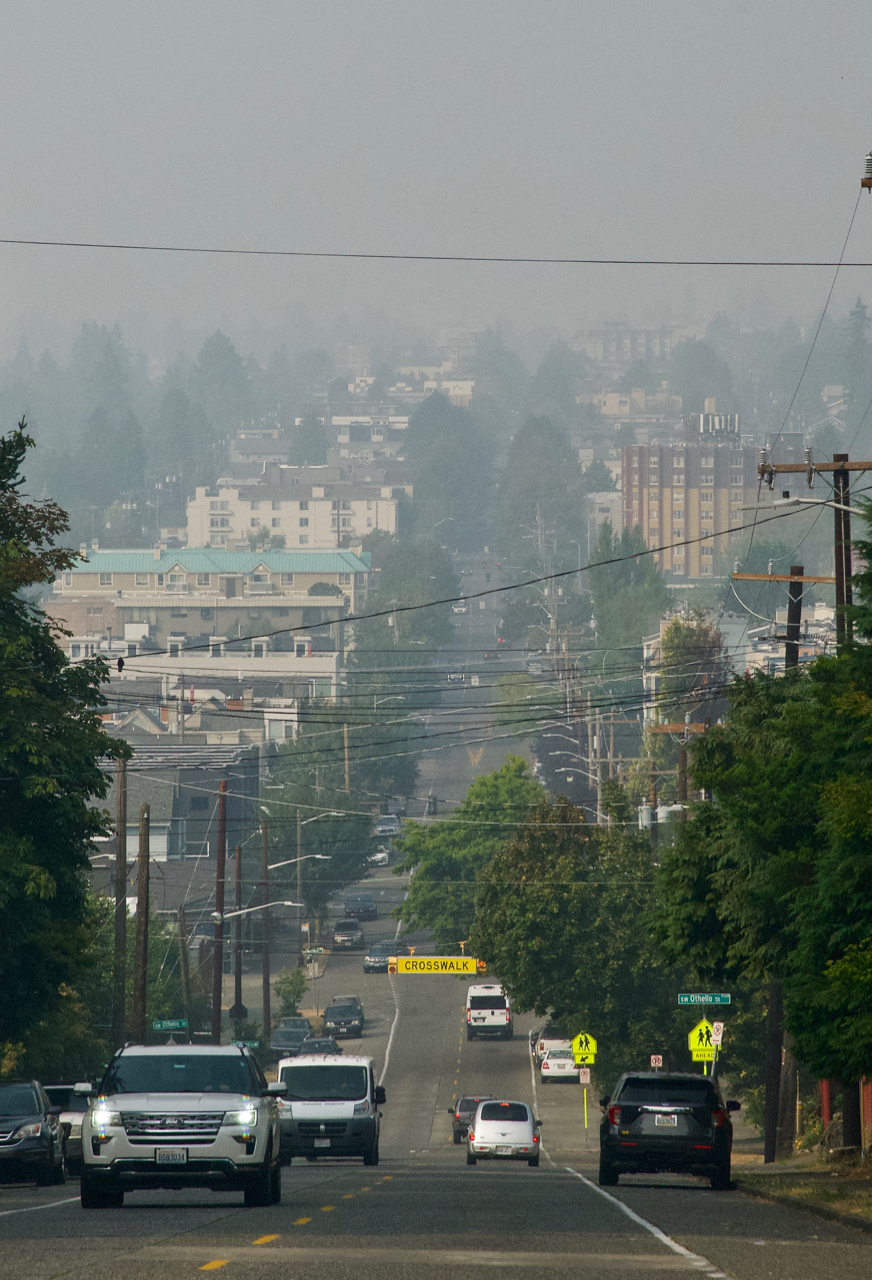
(180, 1073)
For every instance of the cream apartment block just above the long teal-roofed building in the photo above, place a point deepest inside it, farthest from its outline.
(308, 506)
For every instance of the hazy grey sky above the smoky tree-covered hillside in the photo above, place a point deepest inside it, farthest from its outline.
(606, 129)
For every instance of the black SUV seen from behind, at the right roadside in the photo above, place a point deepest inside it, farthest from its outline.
(656, 1123)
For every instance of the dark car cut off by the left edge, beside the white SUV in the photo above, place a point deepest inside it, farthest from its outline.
(31, 1136)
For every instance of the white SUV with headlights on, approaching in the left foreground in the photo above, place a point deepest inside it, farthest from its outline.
(182, 1116)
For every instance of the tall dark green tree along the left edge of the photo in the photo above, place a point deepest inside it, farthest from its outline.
(52, 749)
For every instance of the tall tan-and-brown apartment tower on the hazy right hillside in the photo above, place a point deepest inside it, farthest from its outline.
(679, 493)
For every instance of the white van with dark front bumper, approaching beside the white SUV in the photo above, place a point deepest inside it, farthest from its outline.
(331, 1108)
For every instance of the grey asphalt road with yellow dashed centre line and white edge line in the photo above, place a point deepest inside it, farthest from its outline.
(424, 1213)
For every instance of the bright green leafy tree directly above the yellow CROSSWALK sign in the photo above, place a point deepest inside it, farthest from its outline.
(446, 857)
